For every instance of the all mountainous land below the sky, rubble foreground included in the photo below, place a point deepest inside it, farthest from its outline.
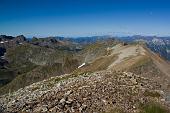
(101, 74)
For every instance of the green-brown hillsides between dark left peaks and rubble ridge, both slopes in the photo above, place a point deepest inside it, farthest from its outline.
(31, 63)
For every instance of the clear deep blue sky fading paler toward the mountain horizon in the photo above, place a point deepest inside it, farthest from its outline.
(84, 17)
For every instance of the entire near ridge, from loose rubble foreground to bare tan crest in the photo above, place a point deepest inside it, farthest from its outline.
(127, 78)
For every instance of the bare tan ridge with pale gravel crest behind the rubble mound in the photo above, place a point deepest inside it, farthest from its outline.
(137, 59)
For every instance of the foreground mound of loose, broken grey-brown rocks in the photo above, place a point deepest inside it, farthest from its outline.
(87, 93)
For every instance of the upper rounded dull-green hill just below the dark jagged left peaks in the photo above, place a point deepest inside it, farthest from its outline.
(24, 54)
